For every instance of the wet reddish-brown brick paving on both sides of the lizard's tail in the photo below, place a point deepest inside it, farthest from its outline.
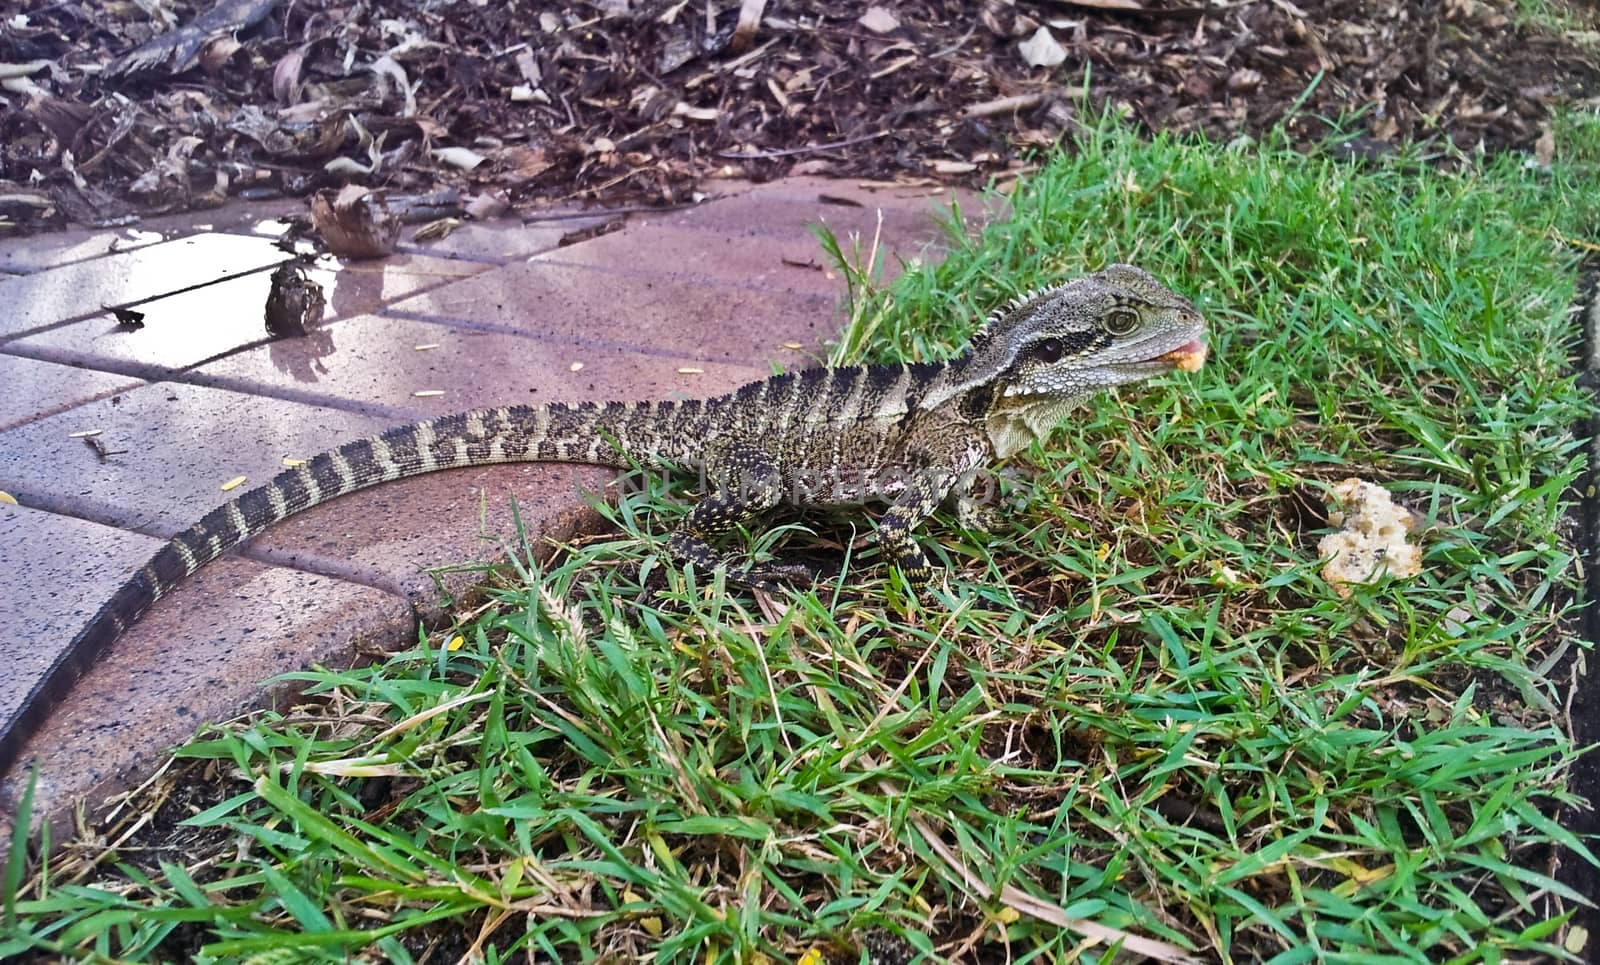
(679, 303)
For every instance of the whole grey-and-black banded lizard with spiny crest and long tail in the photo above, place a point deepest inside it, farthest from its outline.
(910, 436)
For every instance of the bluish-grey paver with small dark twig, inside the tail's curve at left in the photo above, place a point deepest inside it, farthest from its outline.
(175, 446)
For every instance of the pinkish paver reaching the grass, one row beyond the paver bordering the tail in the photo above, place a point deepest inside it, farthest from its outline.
(681, 313)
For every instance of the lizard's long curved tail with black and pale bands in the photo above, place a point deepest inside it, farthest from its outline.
(606, 434)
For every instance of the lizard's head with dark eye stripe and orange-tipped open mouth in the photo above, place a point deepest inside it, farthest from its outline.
(1052, 350)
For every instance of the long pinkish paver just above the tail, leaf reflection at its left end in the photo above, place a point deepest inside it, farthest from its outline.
(372, 364)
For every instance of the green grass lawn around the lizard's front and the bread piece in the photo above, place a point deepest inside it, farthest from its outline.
(1137, 711)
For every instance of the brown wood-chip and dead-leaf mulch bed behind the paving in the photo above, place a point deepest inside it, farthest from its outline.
(108, 113)
